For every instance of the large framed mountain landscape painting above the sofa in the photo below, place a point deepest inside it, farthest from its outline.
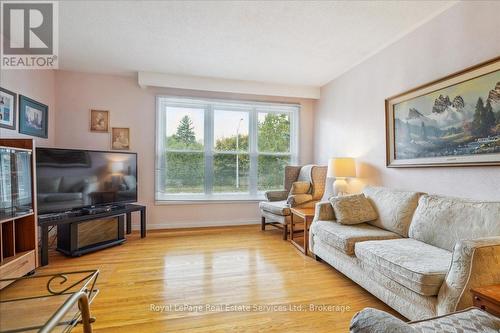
(454, 121)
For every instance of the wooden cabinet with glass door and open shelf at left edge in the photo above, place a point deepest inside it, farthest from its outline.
(18, 227)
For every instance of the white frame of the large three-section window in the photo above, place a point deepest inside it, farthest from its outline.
(207, 105)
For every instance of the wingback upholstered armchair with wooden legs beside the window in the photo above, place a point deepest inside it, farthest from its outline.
(304, 186)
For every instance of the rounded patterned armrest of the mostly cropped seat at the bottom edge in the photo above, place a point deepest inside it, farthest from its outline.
(375, 321)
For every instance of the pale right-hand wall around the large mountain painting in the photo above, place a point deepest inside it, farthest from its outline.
(349, 119)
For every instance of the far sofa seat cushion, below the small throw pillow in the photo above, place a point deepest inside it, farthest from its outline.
(345, 237)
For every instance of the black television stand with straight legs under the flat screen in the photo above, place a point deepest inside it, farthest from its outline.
(66, 222)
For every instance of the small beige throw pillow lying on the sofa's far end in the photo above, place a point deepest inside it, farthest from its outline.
(353, 209)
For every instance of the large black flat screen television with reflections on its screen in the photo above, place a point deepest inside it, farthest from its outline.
(69, 179)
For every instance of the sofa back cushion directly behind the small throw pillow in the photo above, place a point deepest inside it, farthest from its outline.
(394, 208)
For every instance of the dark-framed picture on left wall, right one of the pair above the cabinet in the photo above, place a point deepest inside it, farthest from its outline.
(33, 117)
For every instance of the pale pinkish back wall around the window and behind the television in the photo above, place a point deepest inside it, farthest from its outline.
(134, 107)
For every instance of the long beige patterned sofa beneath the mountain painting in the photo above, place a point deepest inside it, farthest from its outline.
(421, 256)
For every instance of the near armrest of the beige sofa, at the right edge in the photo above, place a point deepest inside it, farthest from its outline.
(474, 263)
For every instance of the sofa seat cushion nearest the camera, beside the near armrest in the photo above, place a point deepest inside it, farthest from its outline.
(418, 266)
